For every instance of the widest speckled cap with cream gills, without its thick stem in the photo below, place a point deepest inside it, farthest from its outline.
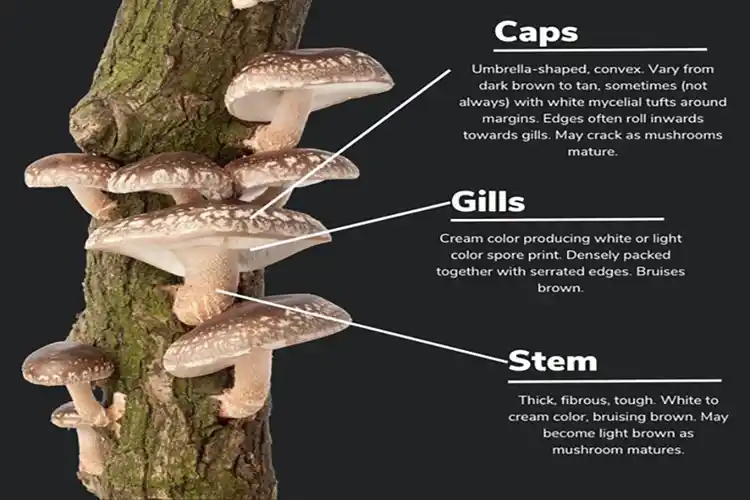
(155, 237)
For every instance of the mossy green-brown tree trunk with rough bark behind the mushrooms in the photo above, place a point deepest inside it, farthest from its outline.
(159, 87)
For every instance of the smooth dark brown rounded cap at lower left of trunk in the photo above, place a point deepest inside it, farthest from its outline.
(66, 362)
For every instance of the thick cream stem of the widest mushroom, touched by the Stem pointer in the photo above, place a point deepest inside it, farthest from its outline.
(207, 269)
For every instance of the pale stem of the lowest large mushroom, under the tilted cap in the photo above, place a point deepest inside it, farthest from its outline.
(252, 384)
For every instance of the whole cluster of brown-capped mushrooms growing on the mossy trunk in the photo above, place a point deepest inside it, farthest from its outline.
(225, 220)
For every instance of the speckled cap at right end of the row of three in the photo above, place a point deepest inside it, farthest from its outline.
(287, 167)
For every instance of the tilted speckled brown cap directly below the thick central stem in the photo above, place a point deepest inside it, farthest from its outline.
(217, 343)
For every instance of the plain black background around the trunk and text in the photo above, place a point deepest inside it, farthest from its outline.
(365, 416)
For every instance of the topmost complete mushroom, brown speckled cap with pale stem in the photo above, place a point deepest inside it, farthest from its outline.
(284, 87)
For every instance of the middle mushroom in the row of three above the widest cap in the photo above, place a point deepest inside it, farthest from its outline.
(185, 176)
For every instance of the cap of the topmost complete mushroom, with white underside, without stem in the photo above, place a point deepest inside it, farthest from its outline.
(334, 75)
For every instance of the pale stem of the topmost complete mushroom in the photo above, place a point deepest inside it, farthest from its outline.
(285, 130)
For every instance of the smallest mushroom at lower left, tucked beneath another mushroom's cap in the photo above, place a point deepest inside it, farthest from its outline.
(91, 444)
